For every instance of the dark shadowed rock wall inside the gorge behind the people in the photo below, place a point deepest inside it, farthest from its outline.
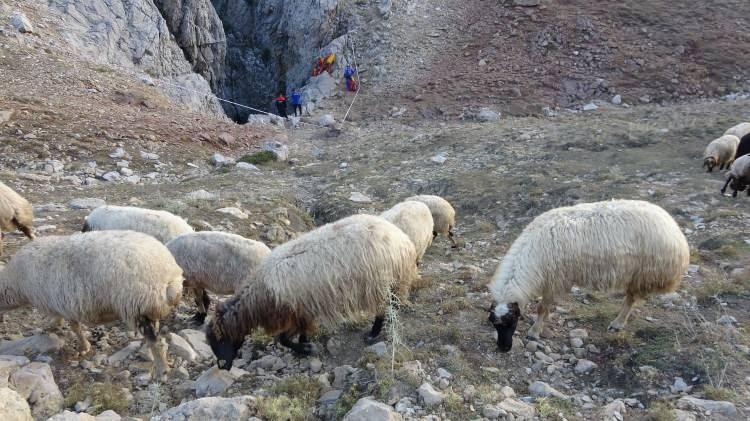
(271, 46)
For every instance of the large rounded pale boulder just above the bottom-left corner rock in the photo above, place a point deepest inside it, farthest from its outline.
(35, 383)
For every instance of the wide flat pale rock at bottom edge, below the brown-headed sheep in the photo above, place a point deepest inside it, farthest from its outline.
(237, 408)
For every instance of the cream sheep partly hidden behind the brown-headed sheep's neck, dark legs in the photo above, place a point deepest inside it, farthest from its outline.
(215, 261)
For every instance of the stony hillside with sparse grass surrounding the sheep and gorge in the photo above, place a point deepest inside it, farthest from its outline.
(86, 120)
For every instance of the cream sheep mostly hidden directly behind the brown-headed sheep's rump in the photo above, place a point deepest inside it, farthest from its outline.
(415, 220)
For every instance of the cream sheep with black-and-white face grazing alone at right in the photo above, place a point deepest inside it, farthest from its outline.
(625, 245)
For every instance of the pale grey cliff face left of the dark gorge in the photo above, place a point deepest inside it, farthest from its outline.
(132, 34)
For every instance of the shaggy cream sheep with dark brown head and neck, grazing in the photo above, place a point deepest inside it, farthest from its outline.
(334, 273)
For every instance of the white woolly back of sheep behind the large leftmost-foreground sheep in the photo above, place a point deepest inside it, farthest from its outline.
(162, 225)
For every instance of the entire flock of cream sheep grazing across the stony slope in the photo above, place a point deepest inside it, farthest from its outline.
(131, 264)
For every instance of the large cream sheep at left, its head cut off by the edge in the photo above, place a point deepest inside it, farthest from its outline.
(96, 278)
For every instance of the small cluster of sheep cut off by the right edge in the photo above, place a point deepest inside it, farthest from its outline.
(731, 151)
